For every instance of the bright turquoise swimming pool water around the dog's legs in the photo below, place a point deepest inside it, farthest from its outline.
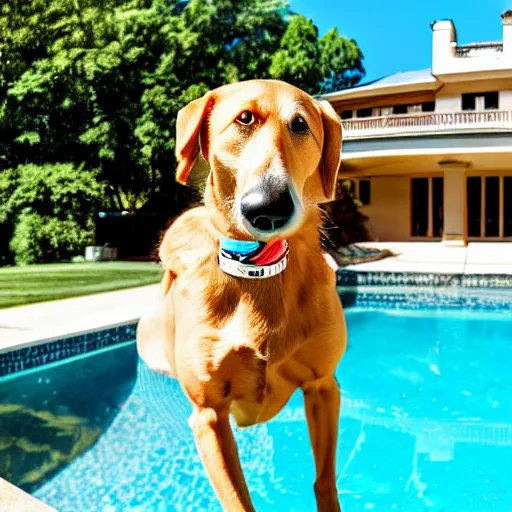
(426, 424)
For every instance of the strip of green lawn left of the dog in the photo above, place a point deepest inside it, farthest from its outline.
(38, 283)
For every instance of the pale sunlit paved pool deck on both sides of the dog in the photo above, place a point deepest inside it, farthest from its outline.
(26, 325)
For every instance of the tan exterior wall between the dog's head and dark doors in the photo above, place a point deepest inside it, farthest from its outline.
(389, 210)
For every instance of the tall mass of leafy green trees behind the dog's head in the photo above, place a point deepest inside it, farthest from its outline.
(99, 83)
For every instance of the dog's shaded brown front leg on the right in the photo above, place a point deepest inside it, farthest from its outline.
(322, 399)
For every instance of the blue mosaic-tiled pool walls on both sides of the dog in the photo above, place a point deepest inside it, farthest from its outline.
(405, 290)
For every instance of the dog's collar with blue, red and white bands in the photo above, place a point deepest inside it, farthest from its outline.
(253, 260)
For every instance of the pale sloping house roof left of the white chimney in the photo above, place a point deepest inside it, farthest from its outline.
(422, 77)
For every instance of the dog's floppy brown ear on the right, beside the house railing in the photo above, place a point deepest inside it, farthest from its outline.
(331, 152)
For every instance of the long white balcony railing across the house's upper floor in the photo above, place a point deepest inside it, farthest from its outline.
(427, 123)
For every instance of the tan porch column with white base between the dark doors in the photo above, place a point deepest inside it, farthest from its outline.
(454, 206)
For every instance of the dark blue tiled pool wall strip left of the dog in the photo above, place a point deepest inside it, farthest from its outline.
(57, 350)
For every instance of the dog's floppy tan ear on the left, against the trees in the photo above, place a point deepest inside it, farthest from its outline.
(188, 129)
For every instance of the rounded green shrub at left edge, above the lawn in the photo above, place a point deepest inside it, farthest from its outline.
(50, 209)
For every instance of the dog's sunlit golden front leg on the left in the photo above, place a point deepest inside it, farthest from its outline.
(217, 449)
